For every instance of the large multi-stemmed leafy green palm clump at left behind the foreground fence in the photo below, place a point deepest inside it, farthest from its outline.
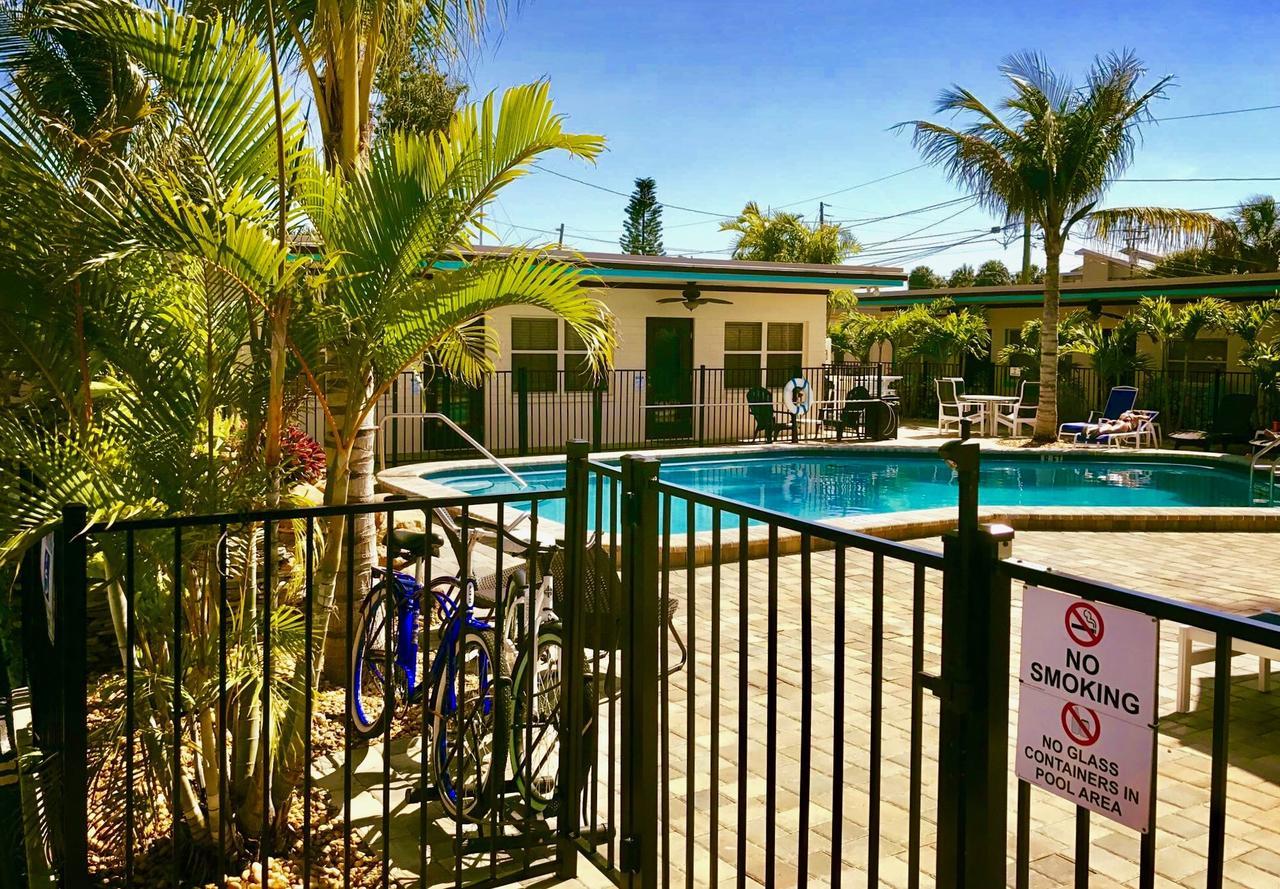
(175, 364)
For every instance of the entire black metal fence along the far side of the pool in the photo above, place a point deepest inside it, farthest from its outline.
(524, 414)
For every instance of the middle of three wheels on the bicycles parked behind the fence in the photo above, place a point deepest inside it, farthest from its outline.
(465, 740)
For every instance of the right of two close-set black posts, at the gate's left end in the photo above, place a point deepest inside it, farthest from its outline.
(639, 828)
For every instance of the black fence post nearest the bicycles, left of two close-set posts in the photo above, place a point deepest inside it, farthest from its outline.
(574, 713)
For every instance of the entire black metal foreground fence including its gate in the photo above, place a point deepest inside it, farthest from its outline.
(751, 699)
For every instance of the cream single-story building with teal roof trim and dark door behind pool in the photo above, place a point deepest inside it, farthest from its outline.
(693, 337)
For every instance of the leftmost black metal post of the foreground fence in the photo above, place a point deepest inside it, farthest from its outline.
(71, 557)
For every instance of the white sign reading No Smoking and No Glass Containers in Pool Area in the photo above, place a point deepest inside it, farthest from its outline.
(1087, 704)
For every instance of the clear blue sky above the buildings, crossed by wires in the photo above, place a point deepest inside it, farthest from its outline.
(780, 103)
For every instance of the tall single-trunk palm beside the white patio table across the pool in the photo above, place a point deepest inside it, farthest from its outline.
(1052, 161)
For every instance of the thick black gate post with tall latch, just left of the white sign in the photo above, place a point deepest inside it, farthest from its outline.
(973, 757)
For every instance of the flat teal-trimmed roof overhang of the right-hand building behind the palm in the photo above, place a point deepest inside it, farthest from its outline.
(1178, 290)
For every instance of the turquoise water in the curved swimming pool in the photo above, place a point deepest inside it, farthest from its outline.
(830, 485)
